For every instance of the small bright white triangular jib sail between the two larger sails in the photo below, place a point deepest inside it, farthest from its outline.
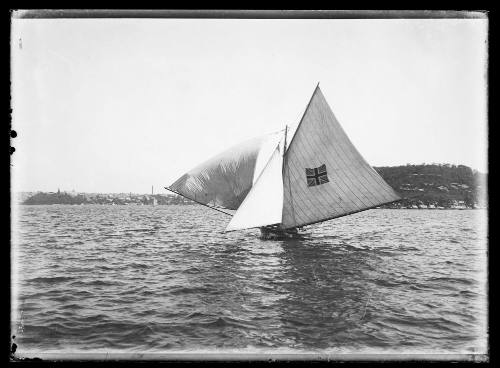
(263, 205)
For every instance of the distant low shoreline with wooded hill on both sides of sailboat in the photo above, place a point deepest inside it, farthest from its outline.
(425, 186)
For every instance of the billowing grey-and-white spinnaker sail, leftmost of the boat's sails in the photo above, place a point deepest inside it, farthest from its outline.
(225, 180)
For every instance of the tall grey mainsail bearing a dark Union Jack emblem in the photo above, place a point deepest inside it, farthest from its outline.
(324, 176)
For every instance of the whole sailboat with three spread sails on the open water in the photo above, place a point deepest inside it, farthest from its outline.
(265, 183)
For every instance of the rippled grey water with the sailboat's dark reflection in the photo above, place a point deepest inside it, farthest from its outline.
(165, 278)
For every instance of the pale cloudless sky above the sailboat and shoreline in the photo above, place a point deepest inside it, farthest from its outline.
(120, 105)
